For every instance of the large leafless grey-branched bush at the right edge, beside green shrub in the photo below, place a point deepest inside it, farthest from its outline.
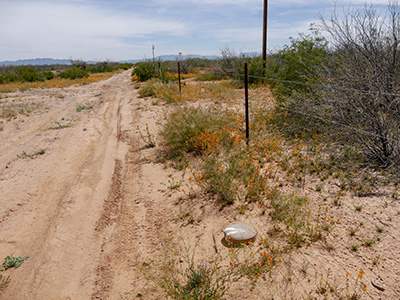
(362, 81)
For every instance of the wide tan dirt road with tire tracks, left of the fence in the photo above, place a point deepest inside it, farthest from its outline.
(69, 181)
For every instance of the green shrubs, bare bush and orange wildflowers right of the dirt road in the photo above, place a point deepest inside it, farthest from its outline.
(323, 138)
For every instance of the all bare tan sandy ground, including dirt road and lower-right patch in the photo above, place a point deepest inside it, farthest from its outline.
(89, 205)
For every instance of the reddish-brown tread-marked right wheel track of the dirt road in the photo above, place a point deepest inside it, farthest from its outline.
(133, 232)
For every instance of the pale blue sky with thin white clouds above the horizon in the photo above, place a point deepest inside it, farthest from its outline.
(126, 29)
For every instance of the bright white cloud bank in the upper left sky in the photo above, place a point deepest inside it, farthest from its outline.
(72, 27)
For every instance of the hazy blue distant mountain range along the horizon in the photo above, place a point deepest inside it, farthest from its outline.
(51, 61)
